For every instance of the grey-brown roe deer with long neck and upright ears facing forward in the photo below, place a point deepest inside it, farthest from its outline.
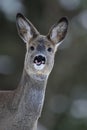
(21, 108)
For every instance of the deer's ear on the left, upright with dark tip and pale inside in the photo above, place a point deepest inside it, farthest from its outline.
(25, 28)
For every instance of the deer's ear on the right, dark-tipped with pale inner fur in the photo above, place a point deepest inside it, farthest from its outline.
(58, 31)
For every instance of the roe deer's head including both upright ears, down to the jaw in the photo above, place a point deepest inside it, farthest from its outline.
(39, 59)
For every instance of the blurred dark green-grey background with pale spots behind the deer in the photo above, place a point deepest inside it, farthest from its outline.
(65, 106)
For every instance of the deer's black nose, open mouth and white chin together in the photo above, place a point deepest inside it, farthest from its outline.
(39, 62)
